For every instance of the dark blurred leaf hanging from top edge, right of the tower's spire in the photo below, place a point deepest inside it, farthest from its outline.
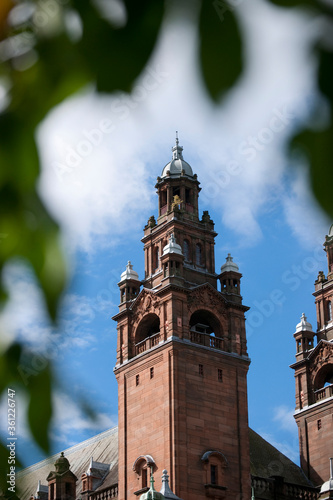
(220, 47)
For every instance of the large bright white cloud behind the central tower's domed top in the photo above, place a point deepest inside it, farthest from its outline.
(104, 190)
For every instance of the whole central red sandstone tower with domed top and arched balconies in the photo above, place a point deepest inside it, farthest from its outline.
(181, 357)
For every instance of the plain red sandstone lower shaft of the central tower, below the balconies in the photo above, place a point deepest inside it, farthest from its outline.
(180, 414)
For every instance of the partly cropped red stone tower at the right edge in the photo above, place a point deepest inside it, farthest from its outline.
(314, 379)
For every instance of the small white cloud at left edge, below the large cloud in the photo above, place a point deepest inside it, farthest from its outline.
(24, 316)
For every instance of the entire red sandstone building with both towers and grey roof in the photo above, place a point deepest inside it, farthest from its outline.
(181, 368)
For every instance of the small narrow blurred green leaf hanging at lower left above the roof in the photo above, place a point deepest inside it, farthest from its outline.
(40, 407)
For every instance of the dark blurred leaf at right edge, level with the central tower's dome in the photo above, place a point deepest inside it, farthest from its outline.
(319, 149)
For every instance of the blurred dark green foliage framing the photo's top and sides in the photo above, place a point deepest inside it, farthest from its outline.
(46, 63)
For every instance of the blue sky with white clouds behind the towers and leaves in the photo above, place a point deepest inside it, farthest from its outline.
(100, 159)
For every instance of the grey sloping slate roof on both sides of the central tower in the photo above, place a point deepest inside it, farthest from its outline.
(266, 461)
